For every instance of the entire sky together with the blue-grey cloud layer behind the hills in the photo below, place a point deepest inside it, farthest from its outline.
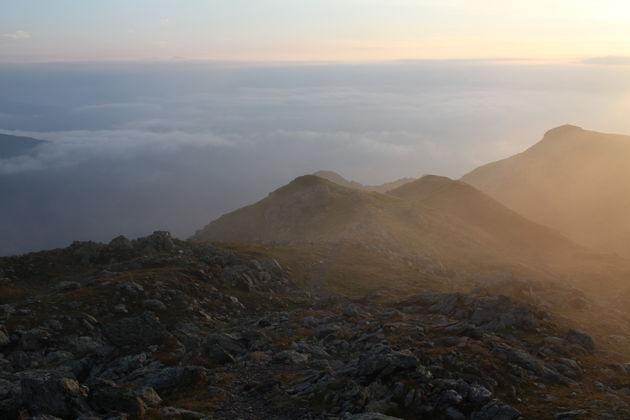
(163, 115)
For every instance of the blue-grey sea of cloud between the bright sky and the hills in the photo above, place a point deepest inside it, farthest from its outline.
(137, 147)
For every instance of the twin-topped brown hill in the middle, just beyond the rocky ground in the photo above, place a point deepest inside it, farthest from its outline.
(433, 217)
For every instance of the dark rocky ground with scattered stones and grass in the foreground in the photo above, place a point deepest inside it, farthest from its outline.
(158, 328)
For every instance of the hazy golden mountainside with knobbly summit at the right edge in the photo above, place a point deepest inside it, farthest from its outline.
(573, 180)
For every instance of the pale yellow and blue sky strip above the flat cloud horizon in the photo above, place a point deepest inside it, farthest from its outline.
(312, 30)
